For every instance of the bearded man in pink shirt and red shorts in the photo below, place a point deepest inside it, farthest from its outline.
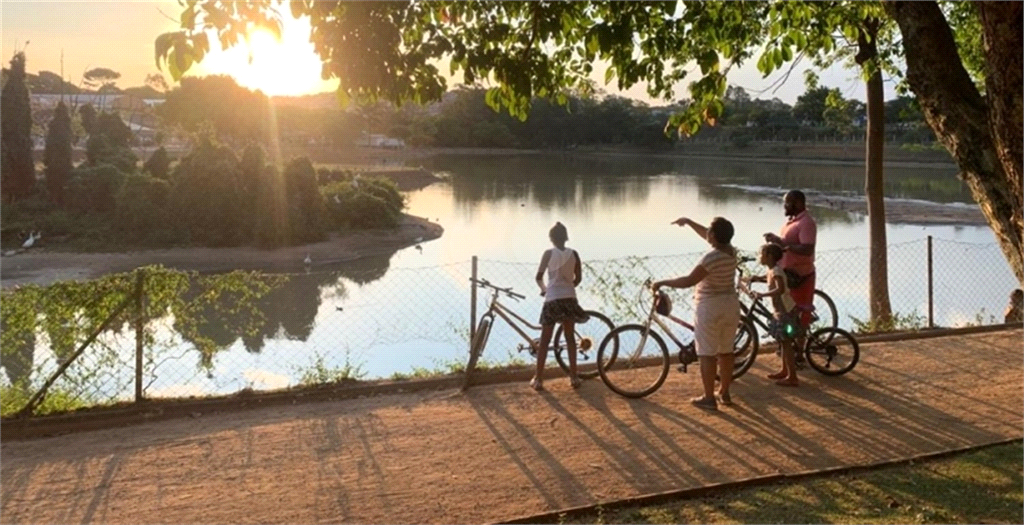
(798, 239)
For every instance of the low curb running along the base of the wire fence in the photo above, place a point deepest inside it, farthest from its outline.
(159, 410)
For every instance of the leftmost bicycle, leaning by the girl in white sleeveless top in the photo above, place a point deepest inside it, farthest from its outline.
(586, 333)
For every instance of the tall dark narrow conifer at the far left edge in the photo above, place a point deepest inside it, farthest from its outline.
(18, 171)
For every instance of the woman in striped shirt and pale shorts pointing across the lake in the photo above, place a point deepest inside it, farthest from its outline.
(717, 309)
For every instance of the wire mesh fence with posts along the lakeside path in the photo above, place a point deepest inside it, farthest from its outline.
(331, 326)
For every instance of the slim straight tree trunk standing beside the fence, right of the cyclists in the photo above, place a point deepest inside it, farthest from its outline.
(875, 176)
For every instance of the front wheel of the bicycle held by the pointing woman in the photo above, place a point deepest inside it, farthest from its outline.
(642, 365)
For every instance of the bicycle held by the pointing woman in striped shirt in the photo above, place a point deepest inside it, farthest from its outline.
(638, 364)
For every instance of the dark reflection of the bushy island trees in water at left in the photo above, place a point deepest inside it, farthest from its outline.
(289, 312)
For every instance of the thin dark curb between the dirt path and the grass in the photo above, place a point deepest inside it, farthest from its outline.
(688, 494)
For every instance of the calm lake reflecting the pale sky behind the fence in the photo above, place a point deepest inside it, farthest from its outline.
(411, 310)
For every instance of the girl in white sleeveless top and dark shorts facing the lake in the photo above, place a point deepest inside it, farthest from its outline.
(565, 274)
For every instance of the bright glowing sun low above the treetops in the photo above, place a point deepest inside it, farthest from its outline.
(278, 68)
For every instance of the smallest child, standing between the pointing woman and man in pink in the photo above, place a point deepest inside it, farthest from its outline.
(784, 305)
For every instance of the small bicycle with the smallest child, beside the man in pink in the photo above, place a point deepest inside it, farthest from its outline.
(824, 346)
